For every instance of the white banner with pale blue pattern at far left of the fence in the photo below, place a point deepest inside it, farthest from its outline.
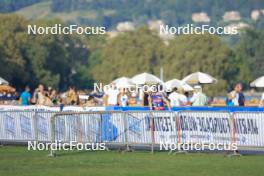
(25, 125)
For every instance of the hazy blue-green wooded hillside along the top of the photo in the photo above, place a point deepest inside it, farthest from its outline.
(173, 12)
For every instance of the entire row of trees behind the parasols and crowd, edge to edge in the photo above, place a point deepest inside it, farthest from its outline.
(61, 60)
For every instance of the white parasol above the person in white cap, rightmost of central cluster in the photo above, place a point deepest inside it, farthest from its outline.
(199, 78)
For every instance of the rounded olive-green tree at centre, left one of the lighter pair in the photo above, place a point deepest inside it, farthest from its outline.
(128, 54)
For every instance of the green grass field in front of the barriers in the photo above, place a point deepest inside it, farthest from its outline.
(18, 161)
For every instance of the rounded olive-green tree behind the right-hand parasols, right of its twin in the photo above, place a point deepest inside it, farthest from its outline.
(206, 53)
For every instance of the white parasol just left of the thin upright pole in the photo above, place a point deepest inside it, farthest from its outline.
(146, 78)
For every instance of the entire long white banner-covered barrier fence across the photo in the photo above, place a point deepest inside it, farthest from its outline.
(126, 128)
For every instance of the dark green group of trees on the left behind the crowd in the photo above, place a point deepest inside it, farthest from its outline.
(31, 59)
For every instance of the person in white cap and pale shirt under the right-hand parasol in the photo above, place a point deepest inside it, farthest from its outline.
(199, 98)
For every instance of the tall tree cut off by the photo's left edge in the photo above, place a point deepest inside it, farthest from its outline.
(12, 63)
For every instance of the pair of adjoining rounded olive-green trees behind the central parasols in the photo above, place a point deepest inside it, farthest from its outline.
(143, 51)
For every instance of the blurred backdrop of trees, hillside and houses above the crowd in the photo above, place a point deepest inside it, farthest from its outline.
(132, 44)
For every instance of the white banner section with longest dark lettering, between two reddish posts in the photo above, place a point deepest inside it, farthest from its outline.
(204, 127)
